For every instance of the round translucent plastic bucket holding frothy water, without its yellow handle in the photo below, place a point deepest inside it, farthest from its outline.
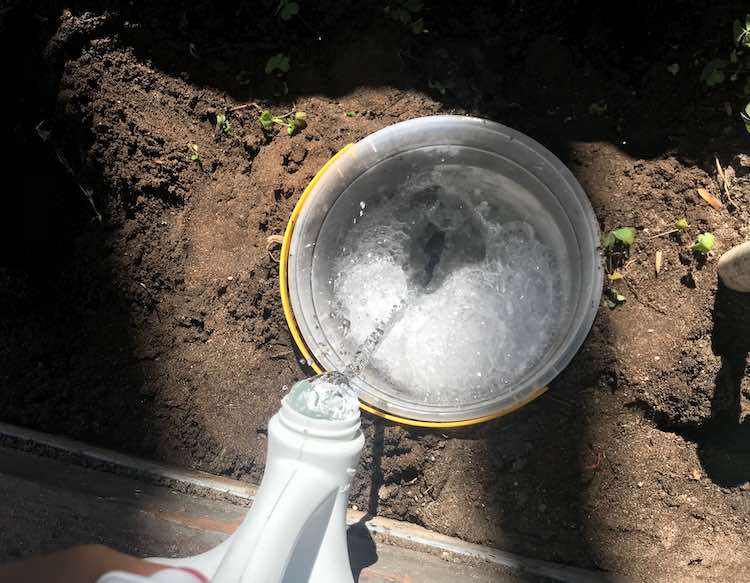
(469, 247)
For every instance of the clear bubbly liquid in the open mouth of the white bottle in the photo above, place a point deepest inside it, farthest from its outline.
(327, 396)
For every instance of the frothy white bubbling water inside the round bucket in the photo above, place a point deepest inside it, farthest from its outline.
(443, 299)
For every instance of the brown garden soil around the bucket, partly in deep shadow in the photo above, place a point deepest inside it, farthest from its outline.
(158, 330)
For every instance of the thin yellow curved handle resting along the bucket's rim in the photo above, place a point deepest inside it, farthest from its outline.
(299, 341)
